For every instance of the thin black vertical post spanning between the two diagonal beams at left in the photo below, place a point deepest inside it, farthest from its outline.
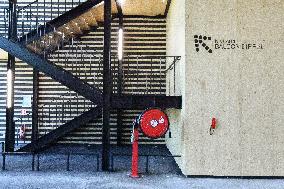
(35, 106)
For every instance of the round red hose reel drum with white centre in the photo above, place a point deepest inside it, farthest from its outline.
(154, 123)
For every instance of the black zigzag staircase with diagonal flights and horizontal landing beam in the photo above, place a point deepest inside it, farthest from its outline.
(33, 48)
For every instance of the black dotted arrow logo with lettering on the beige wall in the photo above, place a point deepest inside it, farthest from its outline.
(203, 42)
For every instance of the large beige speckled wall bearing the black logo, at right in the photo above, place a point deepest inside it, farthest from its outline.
(243, 88)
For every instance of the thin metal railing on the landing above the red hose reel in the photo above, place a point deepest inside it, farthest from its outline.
(147, 75)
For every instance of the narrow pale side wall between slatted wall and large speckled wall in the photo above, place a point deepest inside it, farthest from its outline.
(176, 47)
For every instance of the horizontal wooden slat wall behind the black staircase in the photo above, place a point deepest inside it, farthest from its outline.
(143, 36)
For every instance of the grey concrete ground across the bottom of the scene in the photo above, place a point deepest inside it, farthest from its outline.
(163, 172)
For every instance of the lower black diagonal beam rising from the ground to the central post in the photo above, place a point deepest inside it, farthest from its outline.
(53, 136)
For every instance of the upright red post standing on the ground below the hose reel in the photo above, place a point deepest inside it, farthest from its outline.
(134, 173)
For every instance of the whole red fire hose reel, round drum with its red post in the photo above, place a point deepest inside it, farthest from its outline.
(153, 123)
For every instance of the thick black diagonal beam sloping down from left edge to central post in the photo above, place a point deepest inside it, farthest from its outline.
(55, 72)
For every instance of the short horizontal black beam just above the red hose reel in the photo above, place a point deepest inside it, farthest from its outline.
(145, 101)
